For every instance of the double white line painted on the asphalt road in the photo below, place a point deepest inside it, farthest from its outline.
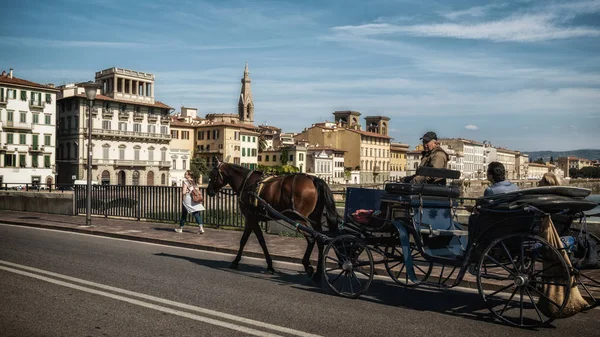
(156, 299)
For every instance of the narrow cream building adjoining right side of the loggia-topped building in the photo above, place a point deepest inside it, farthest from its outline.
(181, 150)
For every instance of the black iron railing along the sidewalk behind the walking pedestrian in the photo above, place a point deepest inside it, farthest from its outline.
(160, 203)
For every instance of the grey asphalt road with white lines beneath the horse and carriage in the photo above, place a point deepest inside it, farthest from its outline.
(55, 283)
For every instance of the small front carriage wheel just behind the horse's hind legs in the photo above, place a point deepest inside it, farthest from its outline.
(348, 266)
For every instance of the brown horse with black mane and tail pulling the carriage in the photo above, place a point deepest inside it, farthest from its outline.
(299, 196)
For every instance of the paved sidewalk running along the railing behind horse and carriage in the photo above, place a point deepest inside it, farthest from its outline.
(281, 248)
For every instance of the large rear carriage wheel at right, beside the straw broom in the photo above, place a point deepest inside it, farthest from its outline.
(527, 280)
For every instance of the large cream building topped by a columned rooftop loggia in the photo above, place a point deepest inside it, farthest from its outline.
(130, 131)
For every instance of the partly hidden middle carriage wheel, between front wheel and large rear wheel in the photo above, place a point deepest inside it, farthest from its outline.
(394, 265)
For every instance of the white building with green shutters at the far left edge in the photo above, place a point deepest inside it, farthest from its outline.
(27, 131)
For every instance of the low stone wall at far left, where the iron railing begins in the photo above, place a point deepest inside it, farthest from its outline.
(55, 203)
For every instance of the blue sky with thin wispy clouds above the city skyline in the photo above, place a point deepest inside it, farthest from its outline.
(519, 74)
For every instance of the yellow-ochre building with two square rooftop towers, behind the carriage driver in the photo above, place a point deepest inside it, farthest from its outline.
(368, 151)
